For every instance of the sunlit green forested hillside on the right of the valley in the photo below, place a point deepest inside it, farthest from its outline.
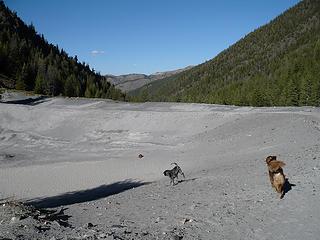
(277, 64)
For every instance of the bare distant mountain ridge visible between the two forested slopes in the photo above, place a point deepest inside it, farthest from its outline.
(129, 82)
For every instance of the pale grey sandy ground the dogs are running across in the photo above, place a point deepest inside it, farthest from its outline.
(83, 155)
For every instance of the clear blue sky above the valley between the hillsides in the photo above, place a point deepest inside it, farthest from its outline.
(145, 36)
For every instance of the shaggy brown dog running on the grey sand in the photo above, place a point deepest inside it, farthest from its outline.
(276, 175)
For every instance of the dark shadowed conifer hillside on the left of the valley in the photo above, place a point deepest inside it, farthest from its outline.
(29, 62)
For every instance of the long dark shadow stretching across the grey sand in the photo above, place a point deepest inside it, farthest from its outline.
(85, 195)
